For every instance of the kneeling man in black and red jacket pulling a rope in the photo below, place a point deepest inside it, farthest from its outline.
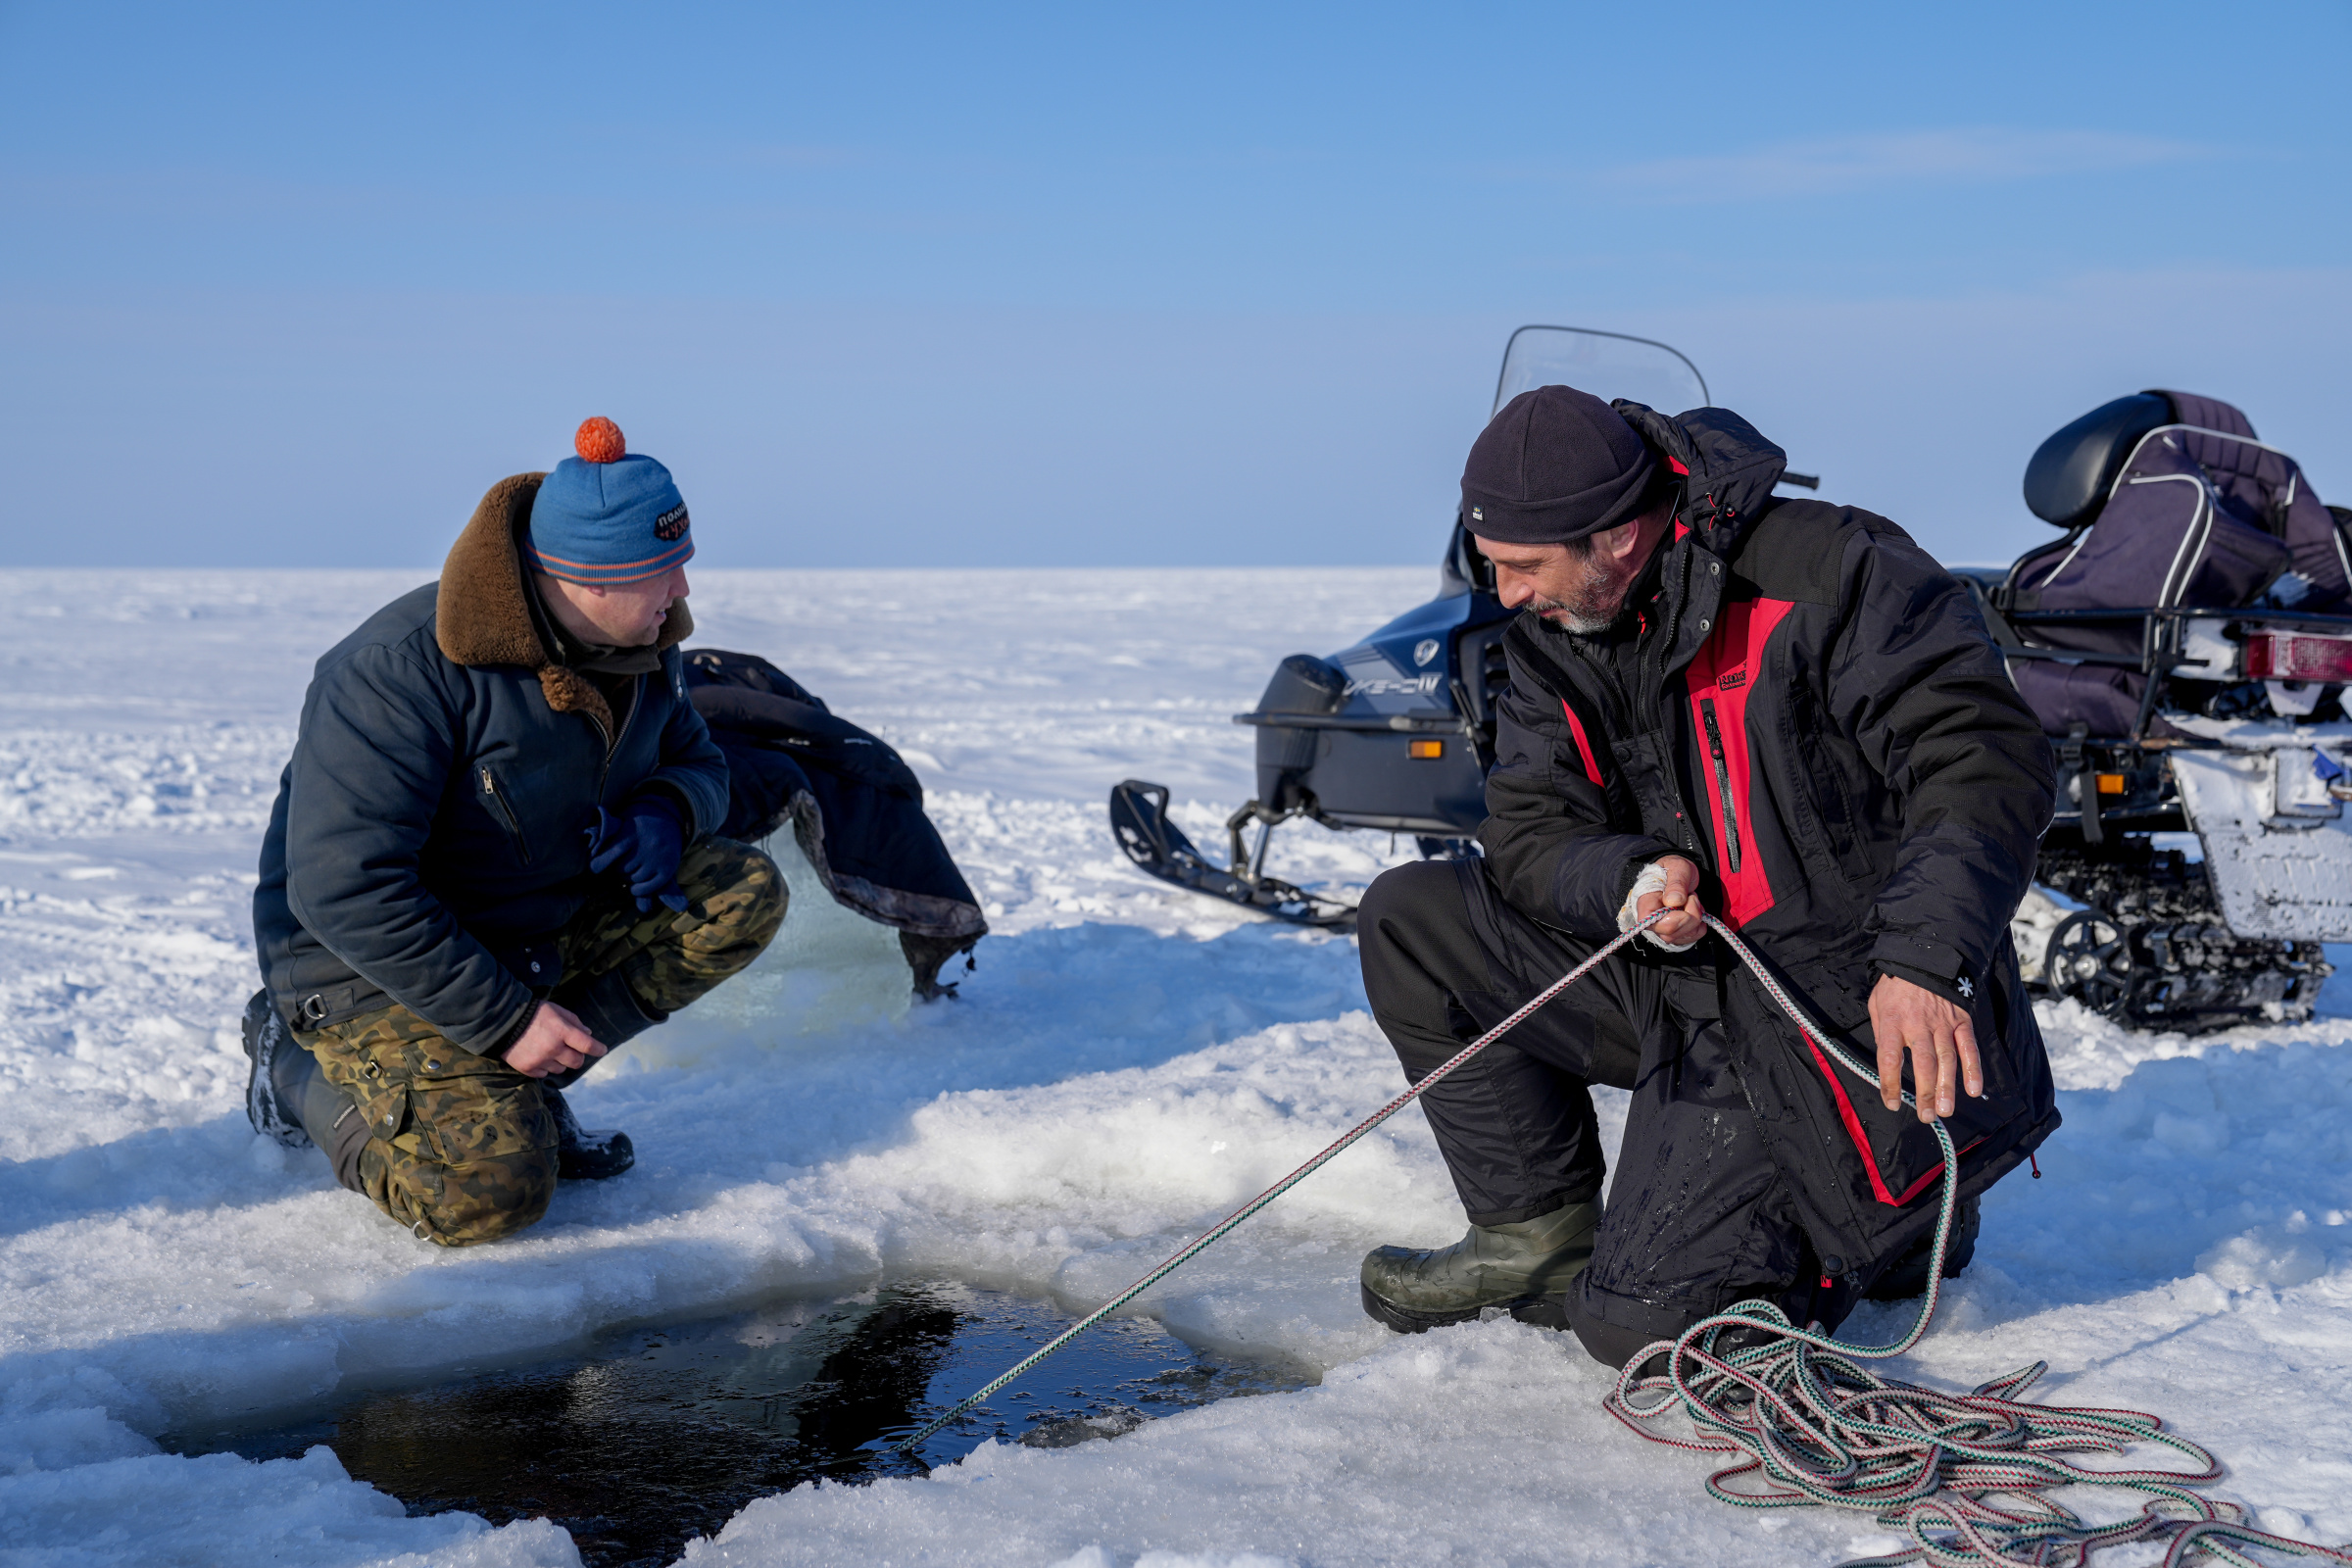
(1775, 711)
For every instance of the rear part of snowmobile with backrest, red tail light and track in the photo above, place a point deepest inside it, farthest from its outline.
(2189, 645)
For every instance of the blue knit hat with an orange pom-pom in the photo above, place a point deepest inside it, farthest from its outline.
(608, 516)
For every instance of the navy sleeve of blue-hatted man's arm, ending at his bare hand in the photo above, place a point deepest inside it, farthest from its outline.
(368, 775)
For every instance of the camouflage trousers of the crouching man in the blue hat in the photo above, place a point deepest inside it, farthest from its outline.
(462, 1146)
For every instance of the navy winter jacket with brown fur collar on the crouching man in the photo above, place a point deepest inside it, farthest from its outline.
(429, 838)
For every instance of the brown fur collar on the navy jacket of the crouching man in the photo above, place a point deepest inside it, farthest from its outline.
(483, 612)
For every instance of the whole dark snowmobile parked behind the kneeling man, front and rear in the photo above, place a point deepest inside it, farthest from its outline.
(2186, 641)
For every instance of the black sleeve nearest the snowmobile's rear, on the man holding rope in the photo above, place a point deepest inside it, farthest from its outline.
(1918, 685)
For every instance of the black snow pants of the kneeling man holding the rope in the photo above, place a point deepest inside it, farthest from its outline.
(1699, 1214)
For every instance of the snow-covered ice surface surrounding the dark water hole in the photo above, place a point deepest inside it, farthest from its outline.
(1125, 1066)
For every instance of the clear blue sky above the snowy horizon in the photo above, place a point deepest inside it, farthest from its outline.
(1118, 286)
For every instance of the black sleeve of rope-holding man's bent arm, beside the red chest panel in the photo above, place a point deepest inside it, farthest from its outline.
(1549, 838)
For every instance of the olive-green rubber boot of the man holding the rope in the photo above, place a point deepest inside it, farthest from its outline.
(1525, 1268)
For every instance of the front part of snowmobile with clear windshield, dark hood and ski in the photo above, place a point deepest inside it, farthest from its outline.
(1396, 732)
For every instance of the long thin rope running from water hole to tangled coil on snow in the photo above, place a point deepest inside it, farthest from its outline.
(1965, 1477)
